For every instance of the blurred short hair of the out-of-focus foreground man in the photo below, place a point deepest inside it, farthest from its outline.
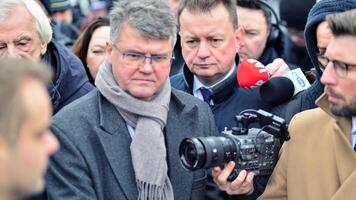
(12, 110)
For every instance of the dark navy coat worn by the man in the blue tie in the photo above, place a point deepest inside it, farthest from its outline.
(229, 100)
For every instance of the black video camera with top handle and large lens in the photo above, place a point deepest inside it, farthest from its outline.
(252, 149)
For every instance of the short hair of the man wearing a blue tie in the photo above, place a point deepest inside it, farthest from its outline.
(205, 6)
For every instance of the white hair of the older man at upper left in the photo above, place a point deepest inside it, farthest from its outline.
(42, 23)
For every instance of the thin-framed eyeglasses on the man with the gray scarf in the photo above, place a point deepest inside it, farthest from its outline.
(137, 59)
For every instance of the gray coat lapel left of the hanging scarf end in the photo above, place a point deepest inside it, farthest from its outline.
(115, 139)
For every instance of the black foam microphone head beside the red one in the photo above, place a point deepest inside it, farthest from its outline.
(277, 90)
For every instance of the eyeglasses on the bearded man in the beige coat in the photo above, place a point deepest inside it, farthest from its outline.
(340, 68)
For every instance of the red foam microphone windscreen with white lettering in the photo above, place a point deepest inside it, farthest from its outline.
(251, 73)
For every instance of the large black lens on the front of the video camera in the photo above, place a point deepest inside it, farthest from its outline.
(206, 152)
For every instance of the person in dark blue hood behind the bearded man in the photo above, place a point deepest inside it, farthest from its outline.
(317, 36)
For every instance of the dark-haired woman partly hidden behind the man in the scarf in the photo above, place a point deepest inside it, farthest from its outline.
(90, 46)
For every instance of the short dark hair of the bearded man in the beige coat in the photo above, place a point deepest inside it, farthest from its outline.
(343, 23)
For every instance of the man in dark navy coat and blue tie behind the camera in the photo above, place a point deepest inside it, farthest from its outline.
(210, 40)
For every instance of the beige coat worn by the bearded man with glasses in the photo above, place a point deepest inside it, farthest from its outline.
(318, 163)
